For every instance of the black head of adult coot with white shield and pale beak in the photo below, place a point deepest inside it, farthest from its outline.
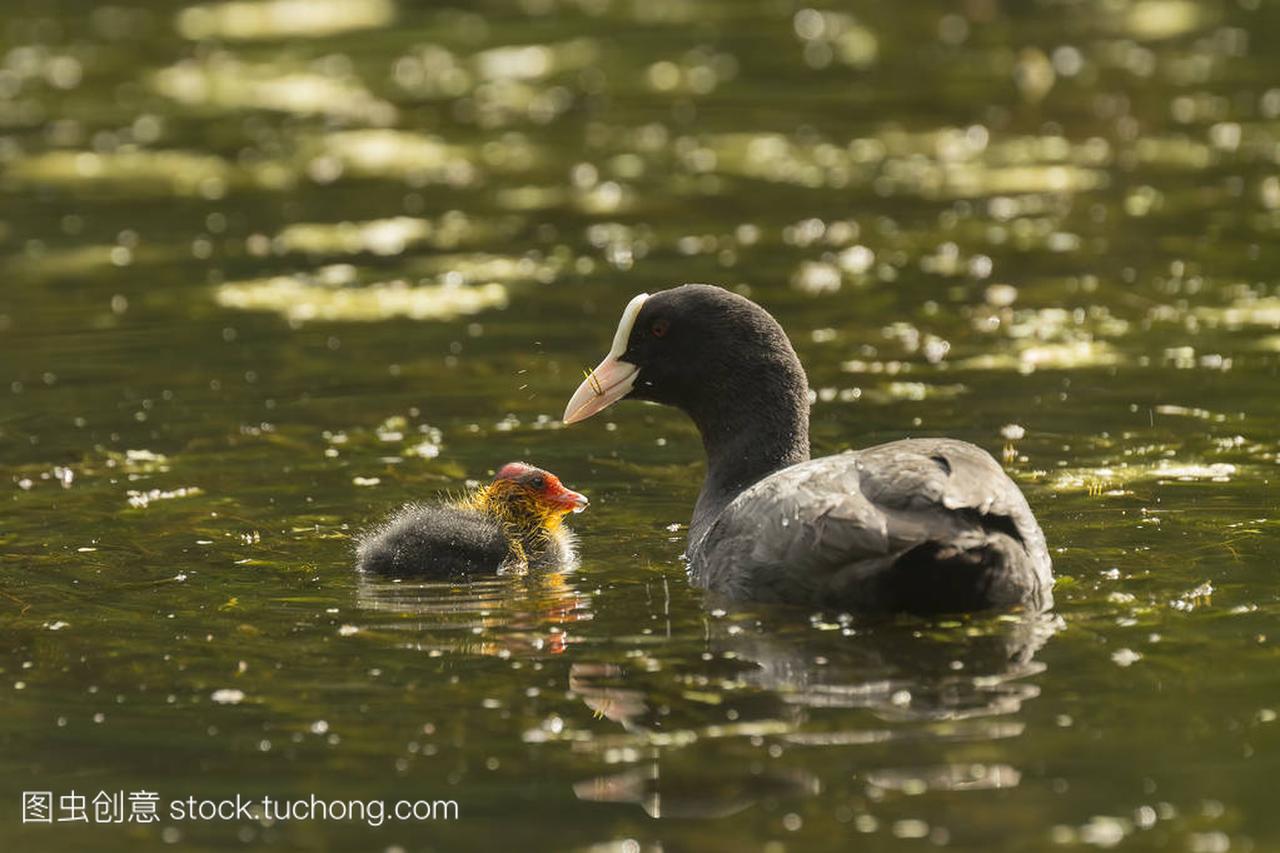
(692, 348)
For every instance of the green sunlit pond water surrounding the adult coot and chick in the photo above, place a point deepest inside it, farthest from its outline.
(272, 270)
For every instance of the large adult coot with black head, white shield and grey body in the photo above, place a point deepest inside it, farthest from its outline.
(925, 526)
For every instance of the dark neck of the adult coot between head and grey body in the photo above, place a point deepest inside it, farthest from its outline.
(756, 425)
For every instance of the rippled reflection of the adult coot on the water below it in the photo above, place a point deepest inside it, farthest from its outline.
(875, 686)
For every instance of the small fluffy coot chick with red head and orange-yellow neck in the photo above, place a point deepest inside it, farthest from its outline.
(513, 523)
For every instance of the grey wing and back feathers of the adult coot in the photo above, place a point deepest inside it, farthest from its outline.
(834, 521)
